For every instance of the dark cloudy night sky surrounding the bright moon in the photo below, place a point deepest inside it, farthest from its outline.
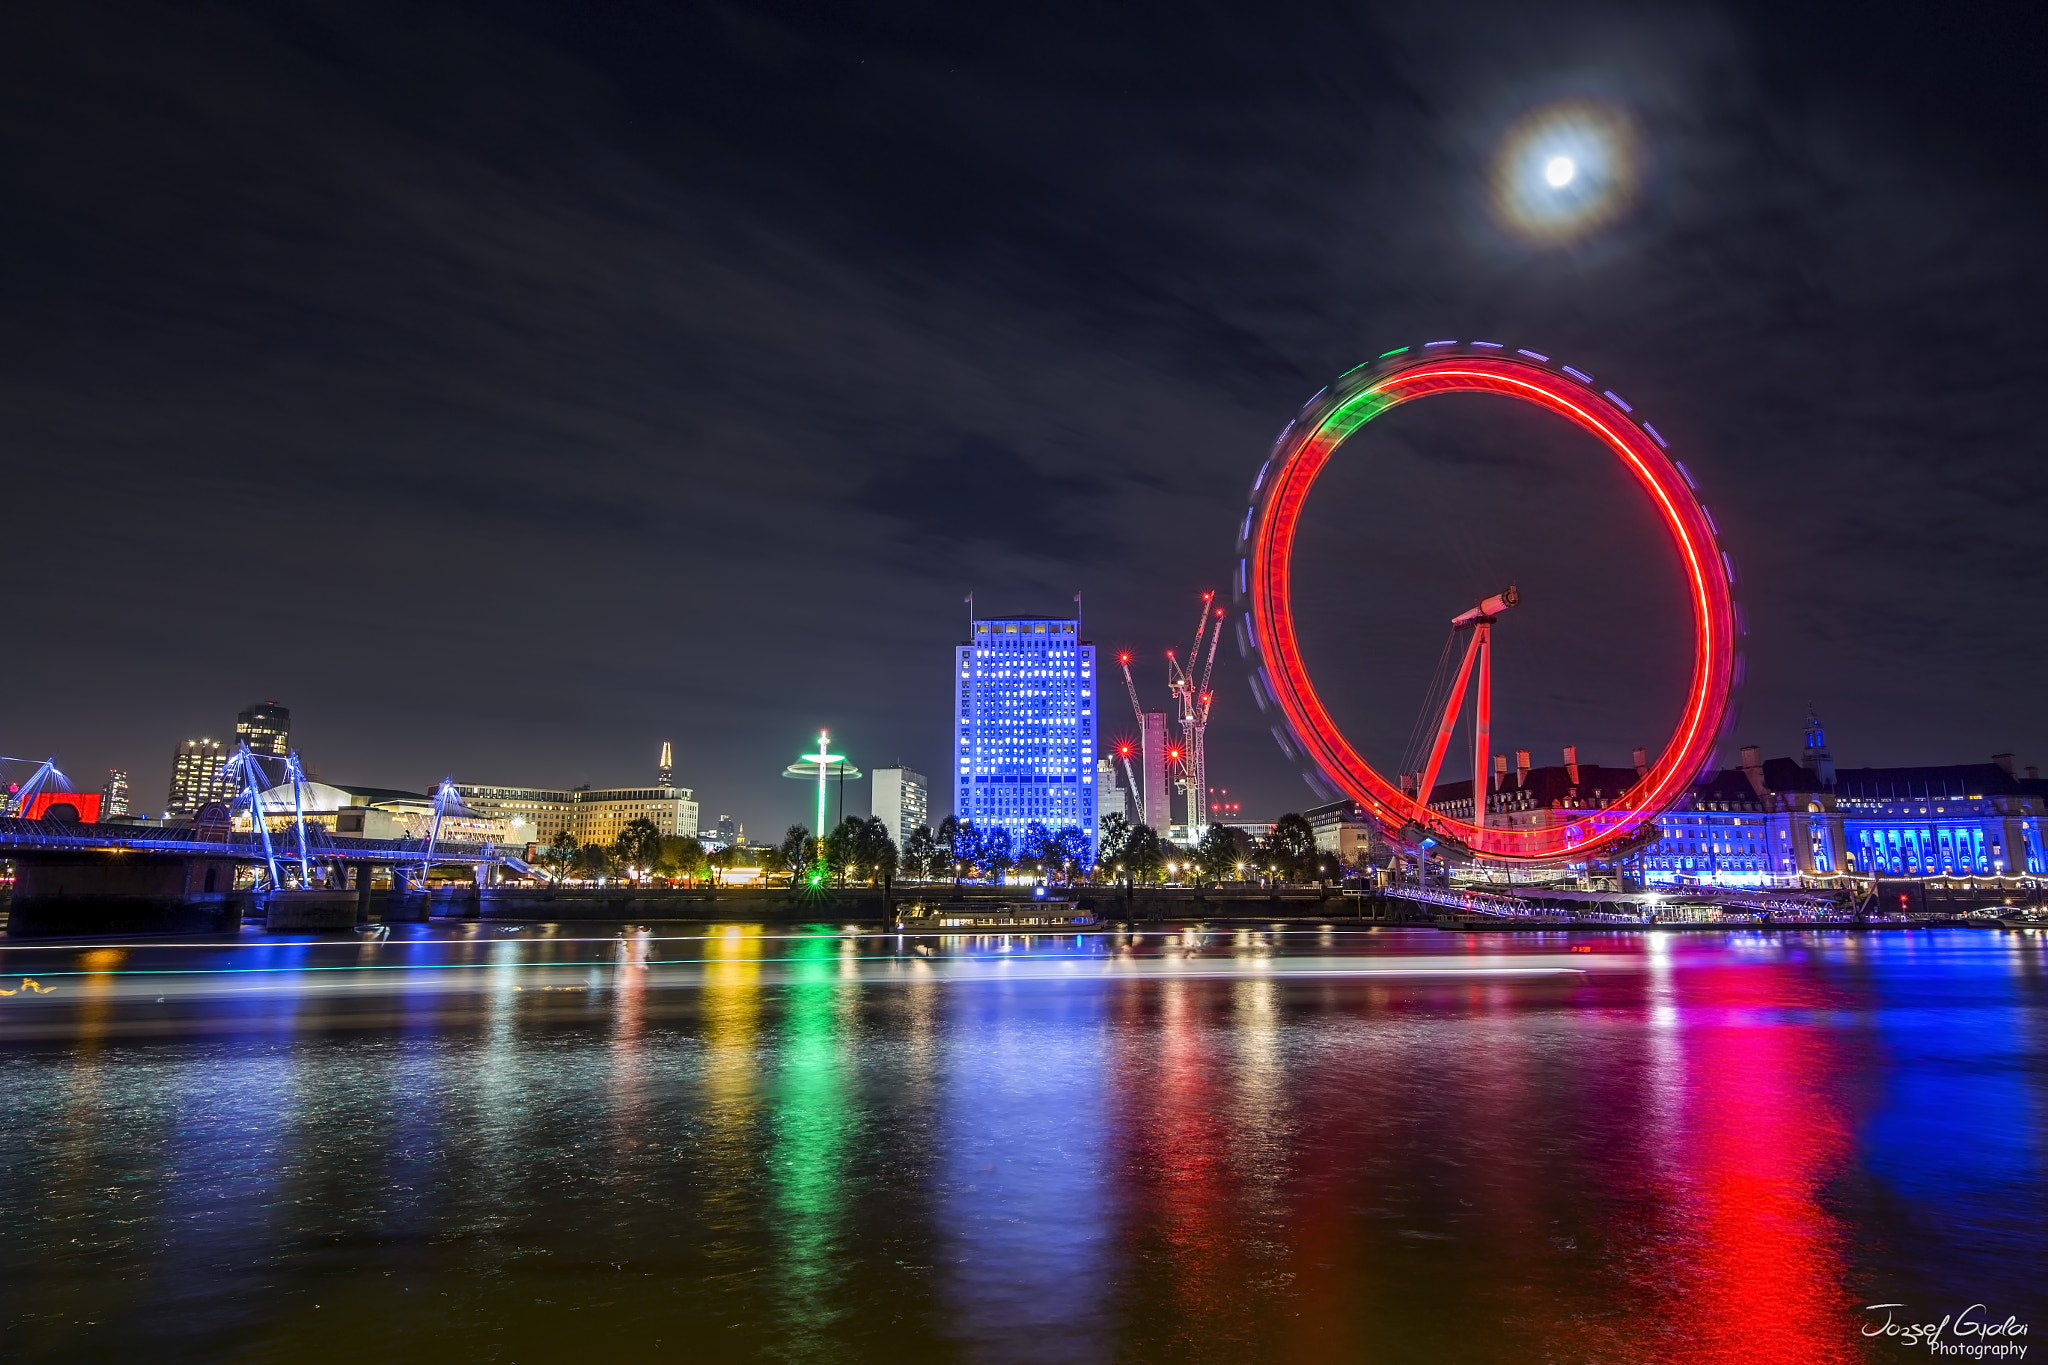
(511, 388)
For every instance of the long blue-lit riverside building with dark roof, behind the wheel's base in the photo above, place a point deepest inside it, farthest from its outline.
(1801, 822)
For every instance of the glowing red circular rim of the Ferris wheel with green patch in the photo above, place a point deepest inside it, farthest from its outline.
(1281, 680)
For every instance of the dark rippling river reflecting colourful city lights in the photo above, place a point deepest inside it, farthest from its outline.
(734, 1143)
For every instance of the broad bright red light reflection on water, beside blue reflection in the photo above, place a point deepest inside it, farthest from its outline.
(1756, 1268)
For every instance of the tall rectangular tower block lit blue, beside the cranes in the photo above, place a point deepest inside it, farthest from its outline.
(1025, 728)
